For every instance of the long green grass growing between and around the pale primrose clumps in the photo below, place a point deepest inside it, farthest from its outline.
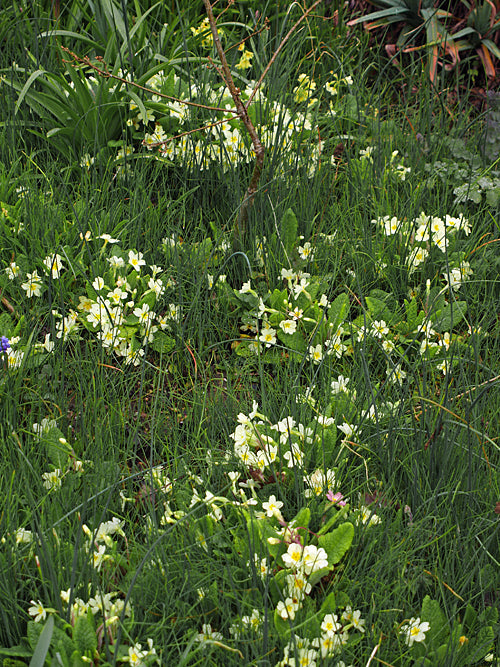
(425, 460)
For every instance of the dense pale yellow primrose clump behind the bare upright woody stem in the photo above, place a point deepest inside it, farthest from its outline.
(165, 131)
